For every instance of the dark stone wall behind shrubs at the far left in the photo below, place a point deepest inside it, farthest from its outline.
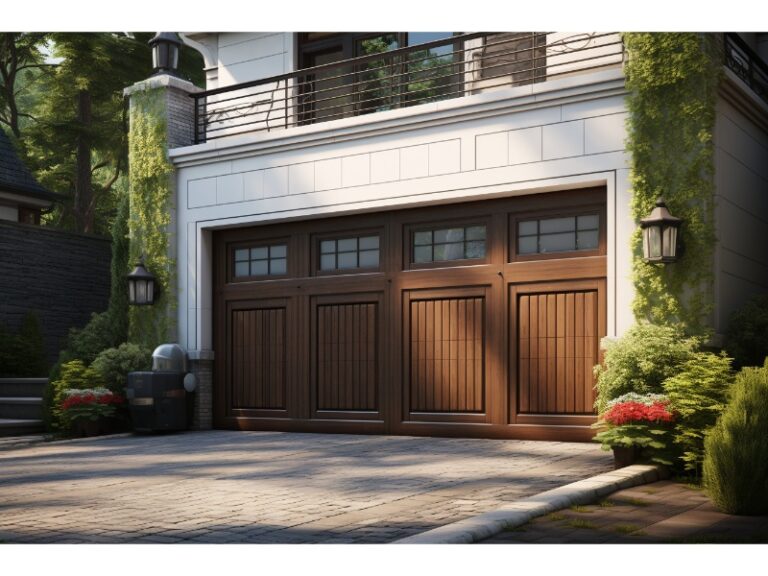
(63, 276)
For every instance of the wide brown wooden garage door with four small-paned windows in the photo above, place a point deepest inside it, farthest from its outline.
(480, 319)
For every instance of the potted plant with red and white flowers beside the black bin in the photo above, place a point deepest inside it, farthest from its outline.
(90, 411)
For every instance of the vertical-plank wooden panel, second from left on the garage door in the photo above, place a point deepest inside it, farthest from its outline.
(346, 356)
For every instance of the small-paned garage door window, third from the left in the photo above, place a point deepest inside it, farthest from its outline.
(445, 244)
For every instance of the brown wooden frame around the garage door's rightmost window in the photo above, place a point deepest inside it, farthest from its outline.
(572, 211)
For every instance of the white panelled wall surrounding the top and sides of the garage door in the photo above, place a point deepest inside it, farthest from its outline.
(562, 134)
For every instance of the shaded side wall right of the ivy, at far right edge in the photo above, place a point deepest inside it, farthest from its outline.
(741, 177)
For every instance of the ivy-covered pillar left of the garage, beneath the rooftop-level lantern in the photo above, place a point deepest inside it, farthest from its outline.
(161, 118)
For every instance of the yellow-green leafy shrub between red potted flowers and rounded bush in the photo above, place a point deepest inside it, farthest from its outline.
(698, 394)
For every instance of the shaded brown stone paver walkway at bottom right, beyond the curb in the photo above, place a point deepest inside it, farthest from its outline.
(661, 512)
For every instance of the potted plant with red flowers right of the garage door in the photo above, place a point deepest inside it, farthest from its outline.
(637, 427)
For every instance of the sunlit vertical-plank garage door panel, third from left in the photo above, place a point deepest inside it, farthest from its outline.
(445, 337)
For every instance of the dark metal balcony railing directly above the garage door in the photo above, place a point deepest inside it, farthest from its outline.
(449, 68)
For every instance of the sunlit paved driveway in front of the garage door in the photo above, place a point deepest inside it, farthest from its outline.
(270, 487)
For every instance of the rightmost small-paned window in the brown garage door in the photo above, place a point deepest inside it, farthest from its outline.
(564, 234)
